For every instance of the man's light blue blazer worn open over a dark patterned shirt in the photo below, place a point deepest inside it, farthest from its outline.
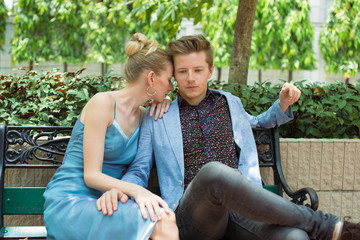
(162, 140)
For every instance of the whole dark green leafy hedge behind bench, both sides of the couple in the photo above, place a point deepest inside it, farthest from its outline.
(50, 98)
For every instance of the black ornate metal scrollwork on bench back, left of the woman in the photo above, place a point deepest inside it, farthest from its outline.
(39, 143)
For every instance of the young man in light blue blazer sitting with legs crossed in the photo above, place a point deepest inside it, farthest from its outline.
(207, 161)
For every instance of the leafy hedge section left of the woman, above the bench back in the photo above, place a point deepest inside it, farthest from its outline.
(49, 98)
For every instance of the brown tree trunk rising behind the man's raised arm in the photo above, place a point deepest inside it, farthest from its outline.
(239, 62)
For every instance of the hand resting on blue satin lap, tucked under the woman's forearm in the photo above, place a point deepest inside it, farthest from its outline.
(108, 202)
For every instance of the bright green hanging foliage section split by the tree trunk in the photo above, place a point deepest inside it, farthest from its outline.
(282, 36)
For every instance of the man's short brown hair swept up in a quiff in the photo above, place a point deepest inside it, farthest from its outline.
(190, 44)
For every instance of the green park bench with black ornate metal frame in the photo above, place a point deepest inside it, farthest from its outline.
(37, 149)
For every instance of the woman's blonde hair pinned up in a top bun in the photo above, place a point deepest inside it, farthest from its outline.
(143, 54)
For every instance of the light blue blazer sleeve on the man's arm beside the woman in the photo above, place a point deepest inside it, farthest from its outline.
(138, 171)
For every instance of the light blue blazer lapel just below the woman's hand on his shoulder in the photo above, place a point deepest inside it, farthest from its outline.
(172, 124)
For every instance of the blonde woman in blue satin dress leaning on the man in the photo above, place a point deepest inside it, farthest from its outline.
(103, 143)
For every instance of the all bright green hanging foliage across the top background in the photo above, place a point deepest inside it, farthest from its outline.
(82, 31)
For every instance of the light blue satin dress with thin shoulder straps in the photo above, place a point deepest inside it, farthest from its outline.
(70, 206)
